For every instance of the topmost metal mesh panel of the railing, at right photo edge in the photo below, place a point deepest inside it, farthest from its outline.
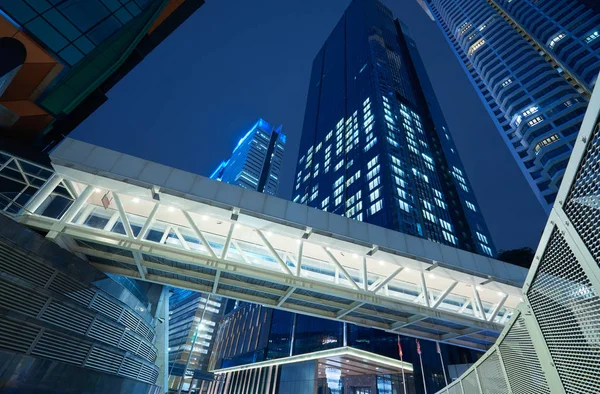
(583, 203)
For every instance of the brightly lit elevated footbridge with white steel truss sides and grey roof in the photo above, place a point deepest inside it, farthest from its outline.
(235, 243)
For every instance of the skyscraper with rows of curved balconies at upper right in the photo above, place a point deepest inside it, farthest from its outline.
(533, 65)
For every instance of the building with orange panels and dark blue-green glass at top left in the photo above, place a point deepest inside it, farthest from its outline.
(76, 51)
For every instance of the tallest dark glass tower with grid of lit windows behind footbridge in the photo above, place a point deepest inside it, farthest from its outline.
(375, 145)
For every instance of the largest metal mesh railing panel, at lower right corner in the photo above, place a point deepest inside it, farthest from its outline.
(567, 309)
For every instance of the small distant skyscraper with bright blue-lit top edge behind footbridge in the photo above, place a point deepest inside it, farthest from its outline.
(256, 160)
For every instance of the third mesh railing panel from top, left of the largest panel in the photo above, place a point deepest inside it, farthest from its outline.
(521, 361)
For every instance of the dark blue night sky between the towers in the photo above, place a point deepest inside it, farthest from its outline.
(191, 100)
